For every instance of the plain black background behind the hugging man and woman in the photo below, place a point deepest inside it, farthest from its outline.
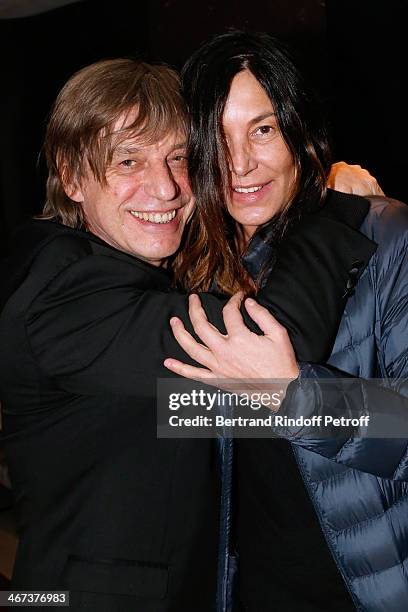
(353, 50)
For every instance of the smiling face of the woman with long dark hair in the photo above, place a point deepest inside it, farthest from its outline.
(261, 165)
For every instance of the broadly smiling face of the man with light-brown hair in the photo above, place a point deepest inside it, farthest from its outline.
(147, 201)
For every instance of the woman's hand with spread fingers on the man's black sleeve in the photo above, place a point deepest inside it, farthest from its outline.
(239, 354)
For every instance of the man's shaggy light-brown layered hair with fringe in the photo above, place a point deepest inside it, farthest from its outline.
(81, 133)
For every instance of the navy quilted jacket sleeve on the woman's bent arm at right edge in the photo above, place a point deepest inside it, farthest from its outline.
(381, 448)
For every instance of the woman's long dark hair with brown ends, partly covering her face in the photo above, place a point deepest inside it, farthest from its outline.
(212, 252)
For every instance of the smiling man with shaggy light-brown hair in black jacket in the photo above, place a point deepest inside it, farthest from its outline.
(106, 510)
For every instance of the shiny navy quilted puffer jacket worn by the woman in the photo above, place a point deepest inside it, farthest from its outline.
(359, 486)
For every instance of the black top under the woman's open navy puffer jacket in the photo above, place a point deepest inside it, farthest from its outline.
(285, 563)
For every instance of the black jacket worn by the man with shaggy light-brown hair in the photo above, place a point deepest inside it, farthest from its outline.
(123, 520)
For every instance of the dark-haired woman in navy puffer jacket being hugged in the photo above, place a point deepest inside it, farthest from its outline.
(320, 524)
